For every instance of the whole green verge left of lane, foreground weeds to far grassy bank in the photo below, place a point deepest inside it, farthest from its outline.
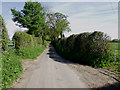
(12, 65)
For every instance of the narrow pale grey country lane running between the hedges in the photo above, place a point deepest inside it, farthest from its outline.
(50, 71)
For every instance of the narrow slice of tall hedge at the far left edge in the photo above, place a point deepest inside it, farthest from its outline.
(4, 35)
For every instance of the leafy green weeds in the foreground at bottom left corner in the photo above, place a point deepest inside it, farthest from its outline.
(11, 68)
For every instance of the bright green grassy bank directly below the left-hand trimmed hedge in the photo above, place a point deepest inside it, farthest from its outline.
(27, 53)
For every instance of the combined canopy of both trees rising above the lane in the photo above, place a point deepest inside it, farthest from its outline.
(41, 23)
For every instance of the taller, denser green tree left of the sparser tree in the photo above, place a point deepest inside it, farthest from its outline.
(32, 17)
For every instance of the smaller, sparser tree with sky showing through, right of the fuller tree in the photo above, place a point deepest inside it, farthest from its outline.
(58, 24)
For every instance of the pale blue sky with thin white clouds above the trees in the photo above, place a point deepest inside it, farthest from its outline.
(87, 16)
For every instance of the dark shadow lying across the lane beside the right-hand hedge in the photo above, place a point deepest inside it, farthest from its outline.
(53, 54)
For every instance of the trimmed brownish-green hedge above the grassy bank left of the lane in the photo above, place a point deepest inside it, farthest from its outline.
(23, 40)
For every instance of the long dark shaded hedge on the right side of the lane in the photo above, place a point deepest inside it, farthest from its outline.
(86, 48)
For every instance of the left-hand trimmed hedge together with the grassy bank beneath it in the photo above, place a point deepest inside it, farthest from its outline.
(26, 44)
